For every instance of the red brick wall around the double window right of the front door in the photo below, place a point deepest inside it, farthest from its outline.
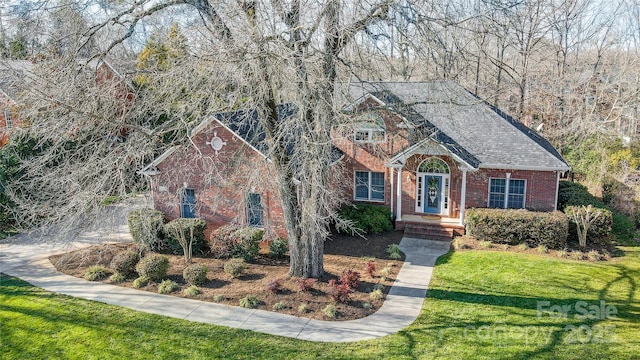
(540, 187)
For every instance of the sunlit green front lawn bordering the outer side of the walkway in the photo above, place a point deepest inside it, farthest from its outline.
(481, 304)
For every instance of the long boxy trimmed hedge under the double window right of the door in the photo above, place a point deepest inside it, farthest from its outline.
(515, 227)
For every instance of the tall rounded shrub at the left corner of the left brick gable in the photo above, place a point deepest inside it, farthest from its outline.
(145, 226)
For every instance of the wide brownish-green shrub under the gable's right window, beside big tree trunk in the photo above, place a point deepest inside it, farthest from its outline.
(235, 241)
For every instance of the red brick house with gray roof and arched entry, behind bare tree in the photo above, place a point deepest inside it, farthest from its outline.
(426, 150)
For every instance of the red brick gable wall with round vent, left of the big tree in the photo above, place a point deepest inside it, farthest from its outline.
(220, 181)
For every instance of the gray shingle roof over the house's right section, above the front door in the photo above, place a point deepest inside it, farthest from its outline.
(467, 126)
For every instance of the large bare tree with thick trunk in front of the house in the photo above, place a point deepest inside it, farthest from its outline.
(252, 54)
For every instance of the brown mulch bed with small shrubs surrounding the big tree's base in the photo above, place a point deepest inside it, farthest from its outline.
(342, 253)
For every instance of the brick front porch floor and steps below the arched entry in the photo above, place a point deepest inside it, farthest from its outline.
(430, 227)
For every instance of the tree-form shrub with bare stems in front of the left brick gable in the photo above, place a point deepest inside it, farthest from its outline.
(179, 233)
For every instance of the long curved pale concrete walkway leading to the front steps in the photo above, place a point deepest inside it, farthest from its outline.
(25, 257)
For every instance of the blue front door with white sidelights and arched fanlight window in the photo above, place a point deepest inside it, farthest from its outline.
(432, 188)
